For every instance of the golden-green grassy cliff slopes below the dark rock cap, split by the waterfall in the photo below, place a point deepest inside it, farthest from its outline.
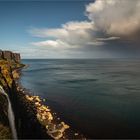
(6, 79)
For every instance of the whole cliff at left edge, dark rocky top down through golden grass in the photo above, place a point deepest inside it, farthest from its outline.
(9, 62)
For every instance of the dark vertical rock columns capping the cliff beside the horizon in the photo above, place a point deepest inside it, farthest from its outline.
(8, 55)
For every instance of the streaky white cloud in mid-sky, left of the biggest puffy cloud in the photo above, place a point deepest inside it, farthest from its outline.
(70, 34)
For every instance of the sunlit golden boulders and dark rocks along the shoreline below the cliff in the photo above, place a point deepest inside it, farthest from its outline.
(49, 122)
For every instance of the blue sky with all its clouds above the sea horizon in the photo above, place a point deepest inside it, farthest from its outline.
(71, 28)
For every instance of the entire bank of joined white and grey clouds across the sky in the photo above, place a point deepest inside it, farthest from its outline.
(108, 20)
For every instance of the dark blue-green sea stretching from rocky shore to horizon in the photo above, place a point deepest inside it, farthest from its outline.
(98, 97)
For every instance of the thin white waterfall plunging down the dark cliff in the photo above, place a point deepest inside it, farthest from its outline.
(10, 114)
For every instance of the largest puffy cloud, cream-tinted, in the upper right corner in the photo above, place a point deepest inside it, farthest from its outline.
(115, 17)
